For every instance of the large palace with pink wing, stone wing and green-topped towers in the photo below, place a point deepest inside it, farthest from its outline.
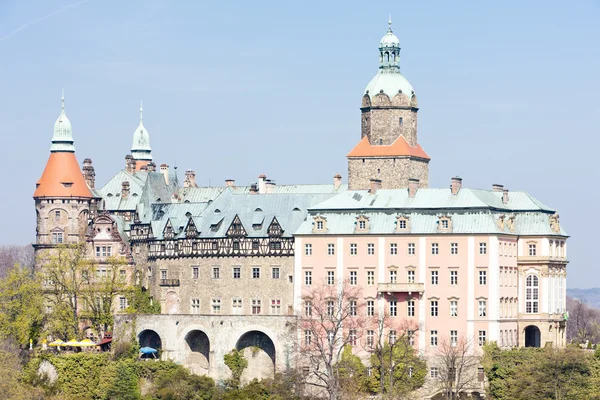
(229, 263)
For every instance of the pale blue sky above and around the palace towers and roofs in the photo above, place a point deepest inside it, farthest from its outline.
(508, 93)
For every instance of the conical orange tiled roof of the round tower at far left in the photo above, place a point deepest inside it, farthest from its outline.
(62, 178)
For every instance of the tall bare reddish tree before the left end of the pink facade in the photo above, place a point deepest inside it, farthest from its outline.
(330, 318)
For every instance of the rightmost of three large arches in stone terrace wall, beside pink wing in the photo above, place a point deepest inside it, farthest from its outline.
(259, 350)
